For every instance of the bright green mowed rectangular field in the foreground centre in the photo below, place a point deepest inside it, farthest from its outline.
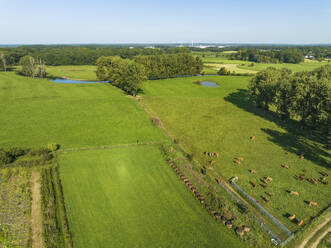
(130, 197)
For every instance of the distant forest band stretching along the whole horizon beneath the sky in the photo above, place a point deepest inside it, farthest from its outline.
(88, 54)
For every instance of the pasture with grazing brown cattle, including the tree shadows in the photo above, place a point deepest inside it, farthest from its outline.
(222, 120)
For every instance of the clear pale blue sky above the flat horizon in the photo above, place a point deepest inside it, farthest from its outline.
(174, 21)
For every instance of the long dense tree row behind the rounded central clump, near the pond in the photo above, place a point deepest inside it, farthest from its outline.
(170, 65)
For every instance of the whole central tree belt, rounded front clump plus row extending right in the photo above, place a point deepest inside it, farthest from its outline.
(128, 75)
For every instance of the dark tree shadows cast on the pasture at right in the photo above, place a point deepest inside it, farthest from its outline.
(296, 140)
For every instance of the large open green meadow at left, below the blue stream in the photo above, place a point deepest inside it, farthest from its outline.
(35, 112)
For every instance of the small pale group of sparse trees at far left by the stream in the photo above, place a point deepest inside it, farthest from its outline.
(32, 67)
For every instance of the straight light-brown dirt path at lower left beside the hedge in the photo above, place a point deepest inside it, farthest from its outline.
(36, 223)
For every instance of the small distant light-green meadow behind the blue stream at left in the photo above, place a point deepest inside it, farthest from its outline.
(78, 72)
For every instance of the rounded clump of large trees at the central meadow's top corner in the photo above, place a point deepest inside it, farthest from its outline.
(123, 73)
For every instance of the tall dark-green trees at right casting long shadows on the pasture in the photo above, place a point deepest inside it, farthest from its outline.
(304, 95)
